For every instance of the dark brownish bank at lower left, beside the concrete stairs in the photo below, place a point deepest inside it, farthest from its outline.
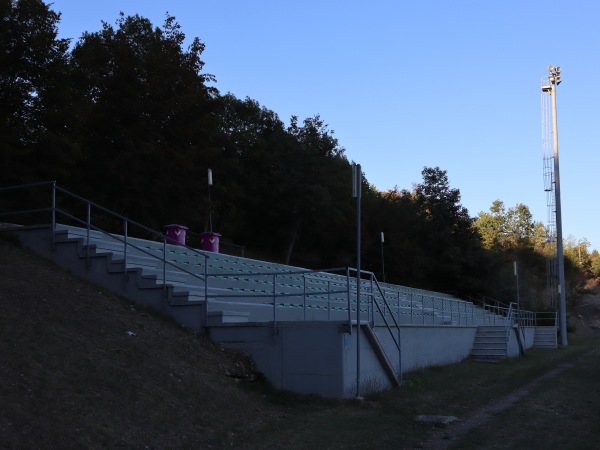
(82, 368)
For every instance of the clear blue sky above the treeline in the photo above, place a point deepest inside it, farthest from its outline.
(406, 84)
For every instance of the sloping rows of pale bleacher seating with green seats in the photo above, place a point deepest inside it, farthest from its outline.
(266, 291)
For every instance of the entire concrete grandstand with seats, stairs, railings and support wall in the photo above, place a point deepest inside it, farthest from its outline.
(307, 330)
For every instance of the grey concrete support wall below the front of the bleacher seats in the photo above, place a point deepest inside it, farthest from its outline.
(321, 357)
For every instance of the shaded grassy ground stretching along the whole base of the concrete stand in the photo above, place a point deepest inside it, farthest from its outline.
(82, 368)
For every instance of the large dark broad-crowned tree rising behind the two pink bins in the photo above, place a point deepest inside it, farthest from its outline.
(148, 121)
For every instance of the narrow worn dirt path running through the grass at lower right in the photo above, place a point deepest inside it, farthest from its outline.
(447, 437)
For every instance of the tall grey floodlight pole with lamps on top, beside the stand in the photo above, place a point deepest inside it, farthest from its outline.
(554, 80)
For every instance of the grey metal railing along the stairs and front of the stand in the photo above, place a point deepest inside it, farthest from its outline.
(416, 298)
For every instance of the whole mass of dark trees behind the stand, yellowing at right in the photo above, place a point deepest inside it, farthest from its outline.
(128, 118)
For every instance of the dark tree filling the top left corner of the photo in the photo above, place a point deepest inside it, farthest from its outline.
(33, 80)
